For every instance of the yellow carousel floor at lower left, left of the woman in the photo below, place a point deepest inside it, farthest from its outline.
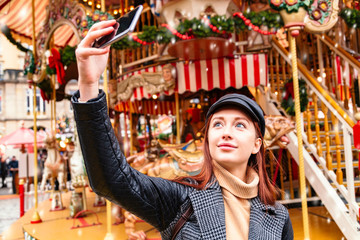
(59, 225)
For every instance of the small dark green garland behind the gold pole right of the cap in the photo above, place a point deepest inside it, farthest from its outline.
(288, 103)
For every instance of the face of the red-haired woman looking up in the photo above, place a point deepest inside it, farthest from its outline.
(232, 139)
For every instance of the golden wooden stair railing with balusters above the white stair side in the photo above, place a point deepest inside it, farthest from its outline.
(327, 125)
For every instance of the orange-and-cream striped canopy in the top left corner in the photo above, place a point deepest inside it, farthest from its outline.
(17, 16)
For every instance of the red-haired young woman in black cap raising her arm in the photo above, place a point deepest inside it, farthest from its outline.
(232, 197)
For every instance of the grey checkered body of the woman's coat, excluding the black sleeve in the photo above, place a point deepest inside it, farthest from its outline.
(208, 221)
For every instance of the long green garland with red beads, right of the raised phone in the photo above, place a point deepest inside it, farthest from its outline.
(216, 26)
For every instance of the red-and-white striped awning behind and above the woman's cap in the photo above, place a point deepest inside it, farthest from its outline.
(222, 73)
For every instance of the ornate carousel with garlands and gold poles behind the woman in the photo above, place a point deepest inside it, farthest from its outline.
(298, 59)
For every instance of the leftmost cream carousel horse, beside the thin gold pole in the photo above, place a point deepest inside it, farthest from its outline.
(54, 165)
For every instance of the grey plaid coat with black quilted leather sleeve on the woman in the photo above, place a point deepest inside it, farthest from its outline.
(158, 201)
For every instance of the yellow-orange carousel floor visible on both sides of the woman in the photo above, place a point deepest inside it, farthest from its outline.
(58, 224)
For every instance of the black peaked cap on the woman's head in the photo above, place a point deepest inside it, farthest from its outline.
(244, 103)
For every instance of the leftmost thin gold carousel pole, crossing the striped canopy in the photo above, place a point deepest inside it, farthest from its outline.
(35, 217)
